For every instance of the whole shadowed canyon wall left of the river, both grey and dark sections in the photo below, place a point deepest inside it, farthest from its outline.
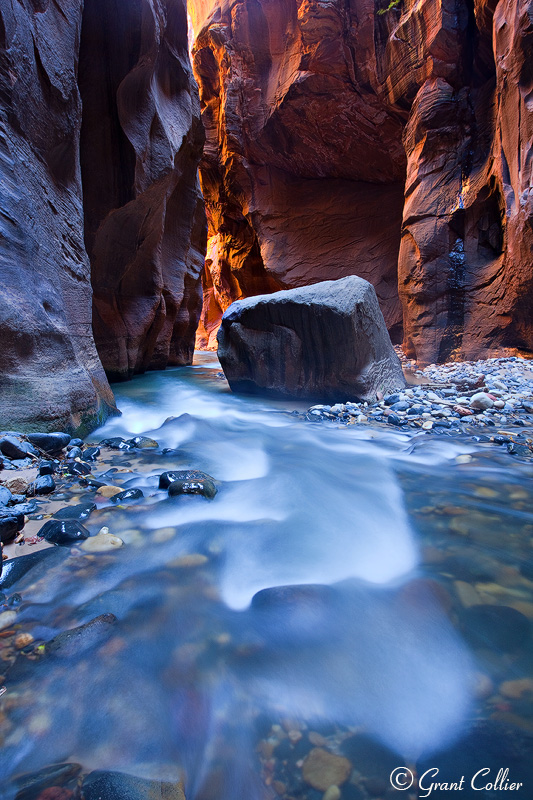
(100, 137)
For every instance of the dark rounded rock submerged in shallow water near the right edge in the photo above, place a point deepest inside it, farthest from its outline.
(495, 627)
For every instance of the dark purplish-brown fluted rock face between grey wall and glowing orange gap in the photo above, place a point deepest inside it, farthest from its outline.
(141, 140)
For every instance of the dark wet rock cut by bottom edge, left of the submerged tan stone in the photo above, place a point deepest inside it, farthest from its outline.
(119, 786)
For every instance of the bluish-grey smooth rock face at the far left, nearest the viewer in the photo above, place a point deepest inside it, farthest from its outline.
(50, 374)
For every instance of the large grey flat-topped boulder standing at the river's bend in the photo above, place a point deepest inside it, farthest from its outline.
(327, 341)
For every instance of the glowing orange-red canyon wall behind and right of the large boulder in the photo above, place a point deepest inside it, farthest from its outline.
(387, 141)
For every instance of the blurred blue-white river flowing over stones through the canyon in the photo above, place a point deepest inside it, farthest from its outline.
(405, 626)
